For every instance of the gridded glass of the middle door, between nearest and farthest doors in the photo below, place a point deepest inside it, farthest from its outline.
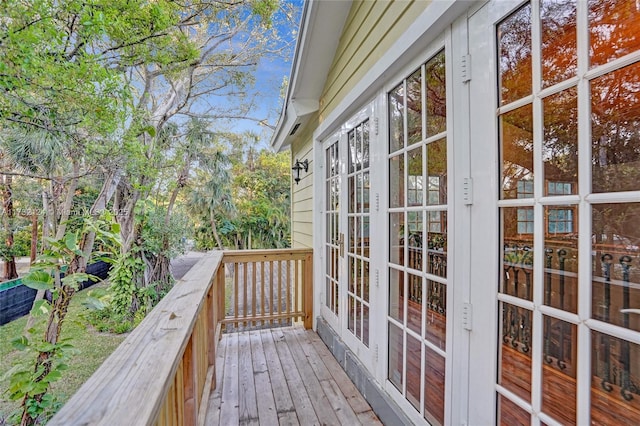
(417, 271)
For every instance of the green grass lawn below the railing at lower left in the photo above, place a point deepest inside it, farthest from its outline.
(94, 347)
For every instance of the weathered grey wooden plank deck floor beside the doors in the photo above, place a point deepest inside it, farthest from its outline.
(284, 376)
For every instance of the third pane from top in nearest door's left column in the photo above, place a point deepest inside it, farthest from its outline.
(517, 257)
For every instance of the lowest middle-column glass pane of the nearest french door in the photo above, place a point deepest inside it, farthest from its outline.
(559, 370)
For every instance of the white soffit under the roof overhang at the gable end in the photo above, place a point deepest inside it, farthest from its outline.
(320, 31)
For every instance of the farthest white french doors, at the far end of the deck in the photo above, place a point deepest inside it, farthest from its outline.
(347, 219)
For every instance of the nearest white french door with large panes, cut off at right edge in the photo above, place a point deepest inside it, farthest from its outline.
(556, 149)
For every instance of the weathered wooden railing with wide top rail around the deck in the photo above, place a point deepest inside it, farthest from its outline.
(164, 371)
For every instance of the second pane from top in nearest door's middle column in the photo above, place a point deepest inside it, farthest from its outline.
(560, 144)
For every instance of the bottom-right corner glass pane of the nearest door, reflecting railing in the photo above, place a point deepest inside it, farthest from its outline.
(615, 388)
